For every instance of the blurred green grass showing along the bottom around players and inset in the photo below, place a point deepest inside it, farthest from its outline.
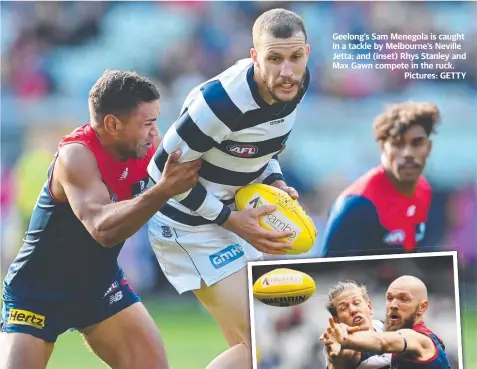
(192, 339)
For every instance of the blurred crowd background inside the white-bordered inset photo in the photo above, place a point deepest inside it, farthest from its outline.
(289, 337)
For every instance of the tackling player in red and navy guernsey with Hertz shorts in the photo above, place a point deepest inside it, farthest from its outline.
(66, 274)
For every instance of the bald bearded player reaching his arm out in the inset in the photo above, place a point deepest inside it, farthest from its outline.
(412, 344)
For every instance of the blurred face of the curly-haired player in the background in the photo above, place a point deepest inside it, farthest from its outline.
(406, 155)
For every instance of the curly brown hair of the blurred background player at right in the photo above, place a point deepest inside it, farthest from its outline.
(398, 118)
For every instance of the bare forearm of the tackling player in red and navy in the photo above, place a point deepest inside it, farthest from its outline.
(117, 222)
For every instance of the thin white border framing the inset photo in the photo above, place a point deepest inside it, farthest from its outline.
(251, 299)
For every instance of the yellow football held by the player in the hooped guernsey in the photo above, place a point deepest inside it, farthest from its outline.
(289, 215)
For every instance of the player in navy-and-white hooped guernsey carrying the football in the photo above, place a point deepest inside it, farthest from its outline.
(237, 122)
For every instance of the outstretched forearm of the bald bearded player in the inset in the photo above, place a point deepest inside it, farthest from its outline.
(387, 342)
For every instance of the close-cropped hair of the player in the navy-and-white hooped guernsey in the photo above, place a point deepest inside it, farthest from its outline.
(279, 23)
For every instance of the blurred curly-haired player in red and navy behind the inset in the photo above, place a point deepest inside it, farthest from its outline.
(385, 211)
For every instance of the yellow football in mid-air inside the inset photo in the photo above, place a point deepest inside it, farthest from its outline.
(284, 287)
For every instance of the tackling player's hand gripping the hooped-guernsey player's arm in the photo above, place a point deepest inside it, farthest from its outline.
(179, 177)
